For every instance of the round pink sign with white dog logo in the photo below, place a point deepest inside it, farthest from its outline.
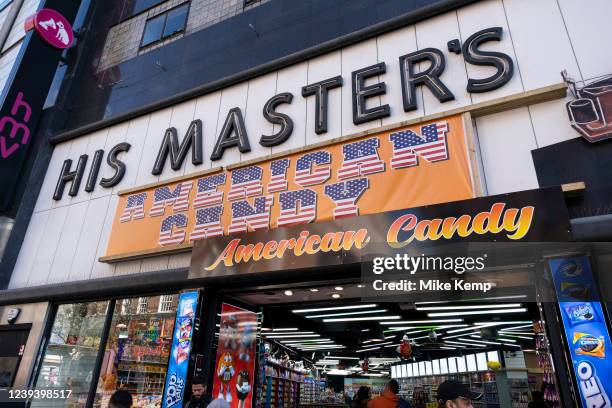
(52, 27)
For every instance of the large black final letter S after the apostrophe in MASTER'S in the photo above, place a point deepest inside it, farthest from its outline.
(502, 62)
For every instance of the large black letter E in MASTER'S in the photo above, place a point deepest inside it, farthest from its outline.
(361, 92)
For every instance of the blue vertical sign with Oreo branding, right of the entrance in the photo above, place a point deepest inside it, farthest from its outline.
(586, 331)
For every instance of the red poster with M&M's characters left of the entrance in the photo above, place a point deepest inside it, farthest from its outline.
(235, 366)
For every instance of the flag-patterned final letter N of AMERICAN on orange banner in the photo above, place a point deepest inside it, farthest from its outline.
(431, 145)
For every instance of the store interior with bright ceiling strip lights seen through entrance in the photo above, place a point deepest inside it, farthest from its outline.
(320, 344)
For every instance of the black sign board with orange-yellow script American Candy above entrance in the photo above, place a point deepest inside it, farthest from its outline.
(527, 216)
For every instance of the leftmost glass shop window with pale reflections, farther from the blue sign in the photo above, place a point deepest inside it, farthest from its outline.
(70, 356)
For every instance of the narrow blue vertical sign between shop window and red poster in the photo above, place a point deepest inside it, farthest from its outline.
(176, 376)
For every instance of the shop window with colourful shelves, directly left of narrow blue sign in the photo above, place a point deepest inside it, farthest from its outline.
(137, 351)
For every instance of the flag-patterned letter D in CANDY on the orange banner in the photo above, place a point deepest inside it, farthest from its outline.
(297, 207)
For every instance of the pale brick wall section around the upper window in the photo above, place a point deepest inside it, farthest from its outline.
(123, 40)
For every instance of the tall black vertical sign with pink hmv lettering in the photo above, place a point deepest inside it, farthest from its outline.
(22, 104)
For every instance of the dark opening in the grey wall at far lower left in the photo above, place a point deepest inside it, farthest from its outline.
(13, 340)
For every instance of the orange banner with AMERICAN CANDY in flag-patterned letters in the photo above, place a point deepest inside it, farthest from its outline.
(414, 166)
